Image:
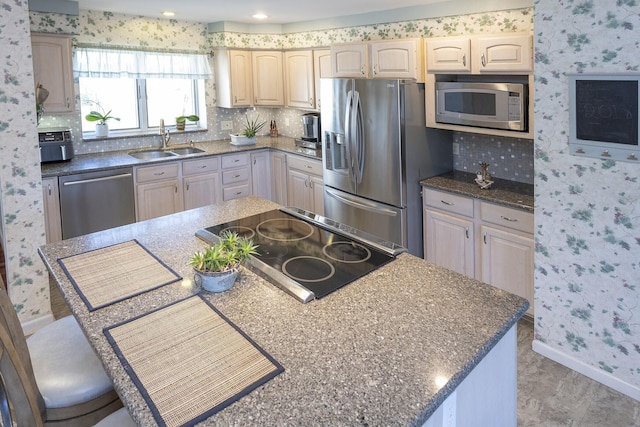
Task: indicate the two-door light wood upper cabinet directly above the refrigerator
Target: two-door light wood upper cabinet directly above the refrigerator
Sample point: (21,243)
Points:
(392,59)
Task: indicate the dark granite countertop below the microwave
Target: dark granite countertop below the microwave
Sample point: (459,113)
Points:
(504,192)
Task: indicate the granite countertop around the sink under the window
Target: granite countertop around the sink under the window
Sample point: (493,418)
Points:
(121,159)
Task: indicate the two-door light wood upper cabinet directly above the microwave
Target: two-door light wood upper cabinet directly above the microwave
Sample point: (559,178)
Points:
(511,53)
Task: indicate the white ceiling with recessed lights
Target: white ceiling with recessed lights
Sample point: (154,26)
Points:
(279,11)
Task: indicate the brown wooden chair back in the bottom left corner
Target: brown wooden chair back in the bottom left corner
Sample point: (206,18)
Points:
(20,399)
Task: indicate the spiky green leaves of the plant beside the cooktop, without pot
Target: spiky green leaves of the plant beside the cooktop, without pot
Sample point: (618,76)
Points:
(225,255)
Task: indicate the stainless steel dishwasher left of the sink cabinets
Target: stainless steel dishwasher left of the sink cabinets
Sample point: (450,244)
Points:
(96,201)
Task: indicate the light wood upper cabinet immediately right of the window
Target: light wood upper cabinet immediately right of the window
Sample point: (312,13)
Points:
(245,78)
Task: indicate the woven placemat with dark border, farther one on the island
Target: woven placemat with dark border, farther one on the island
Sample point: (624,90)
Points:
(114,273)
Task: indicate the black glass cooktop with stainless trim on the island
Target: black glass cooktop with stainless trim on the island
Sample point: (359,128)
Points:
(307,255)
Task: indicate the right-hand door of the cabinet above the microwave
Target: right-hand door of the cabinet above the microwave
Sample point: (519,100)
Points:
(502,53)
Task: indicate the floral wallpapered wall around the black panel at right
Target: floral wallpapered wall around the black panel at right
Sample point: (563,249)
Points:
(587,257)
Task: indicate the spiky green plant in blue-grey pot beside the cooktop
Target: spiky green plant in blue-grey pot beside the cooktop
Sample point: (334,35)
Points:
(216,268)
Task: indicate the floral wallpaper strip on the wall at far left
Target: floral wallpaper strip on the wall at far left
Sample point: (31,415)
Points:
(22,228)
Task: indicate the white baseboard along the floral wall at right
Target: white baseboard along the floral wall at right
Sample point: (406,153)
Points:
(587,370)
